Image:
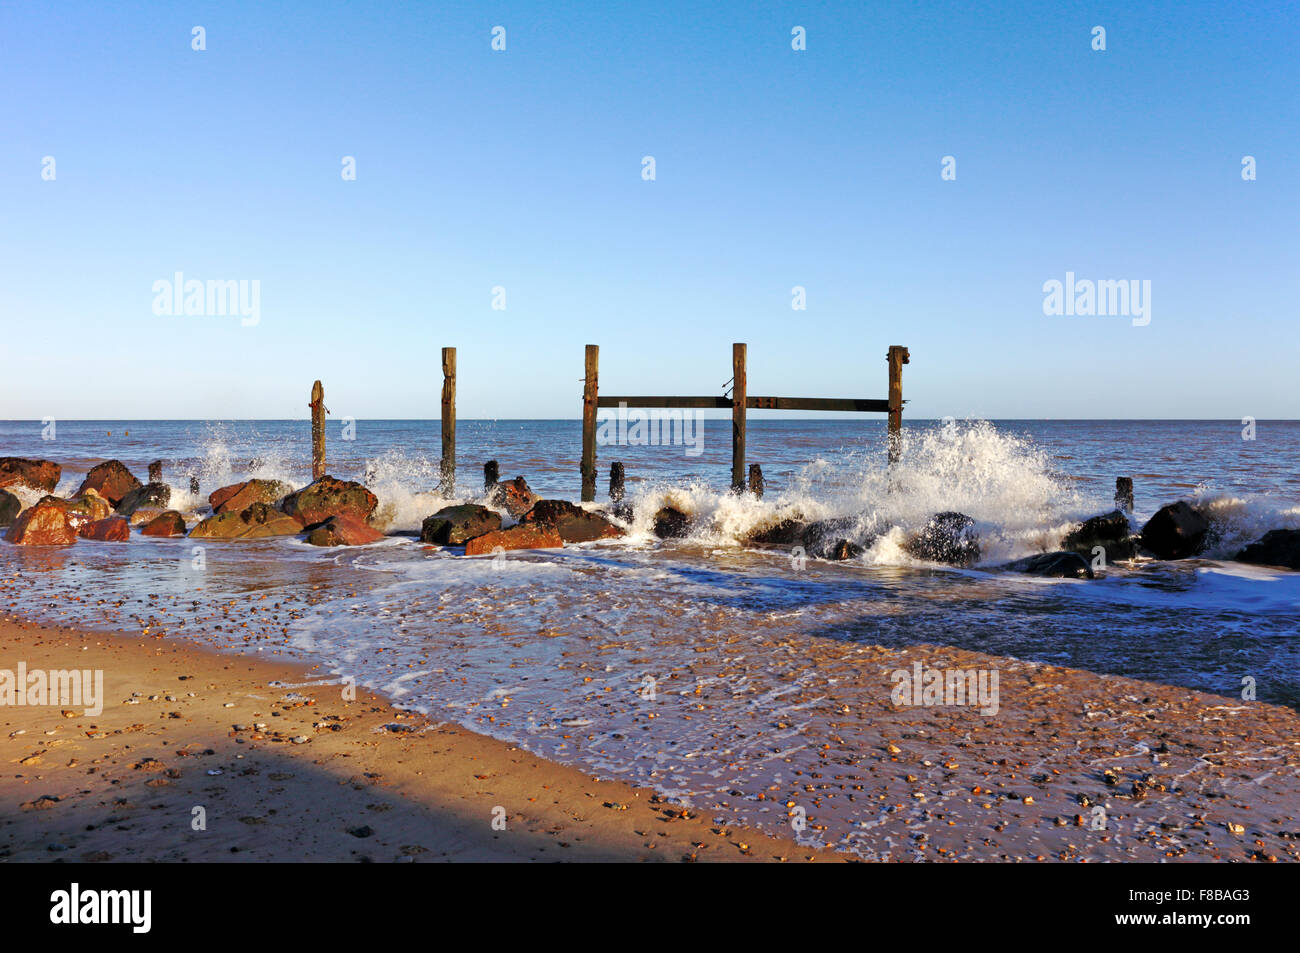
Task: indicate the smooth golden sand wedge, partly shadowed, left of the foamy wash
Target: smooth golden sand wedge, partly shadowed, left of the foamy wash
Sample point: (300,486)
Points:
(365,782)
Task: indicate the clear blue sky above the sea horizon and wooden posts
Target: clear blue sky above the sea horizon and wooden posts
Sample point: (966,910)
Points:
(523,170)
